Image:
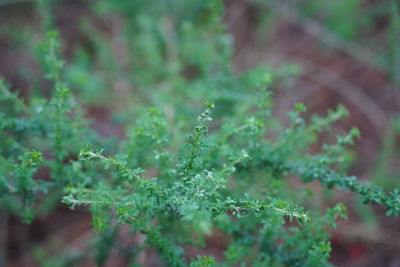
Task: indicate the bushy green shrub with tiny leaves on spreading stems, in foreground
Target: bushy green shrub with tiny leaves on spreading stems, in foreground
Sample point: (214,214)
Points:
(177,179)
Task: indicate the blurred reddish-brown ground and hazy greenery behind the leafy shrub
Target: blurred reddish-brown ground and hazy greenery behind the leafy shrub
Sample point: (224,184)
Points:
(125,54)
